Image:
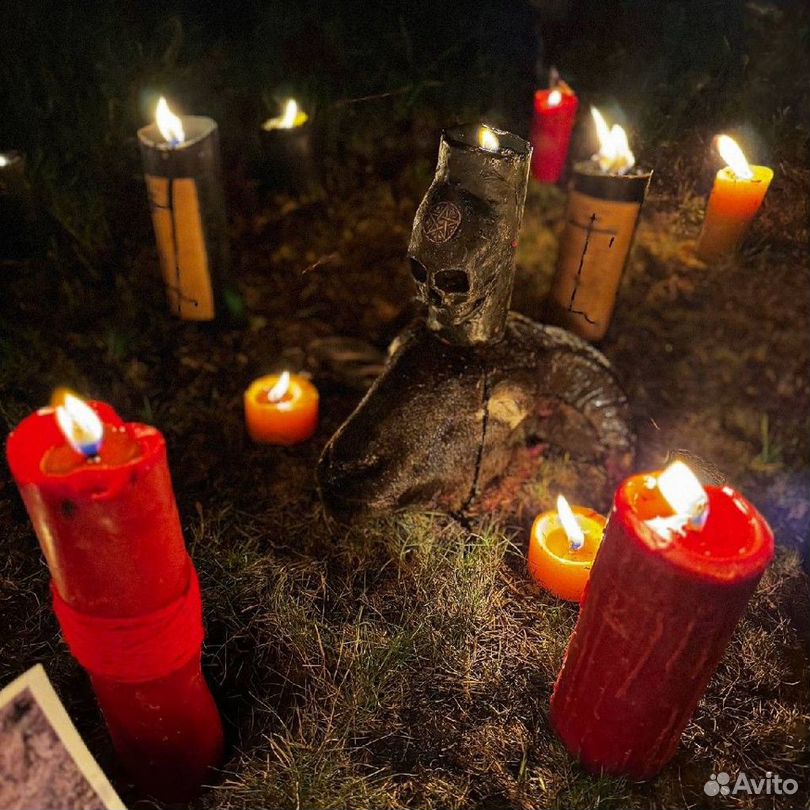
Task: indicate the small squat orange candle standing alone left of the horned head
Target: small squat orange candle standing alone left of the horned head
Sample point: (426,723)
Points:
(281,409)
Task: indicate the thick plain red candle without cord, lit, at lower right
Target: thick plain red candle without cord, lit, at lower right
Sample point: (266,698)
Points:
(666,591)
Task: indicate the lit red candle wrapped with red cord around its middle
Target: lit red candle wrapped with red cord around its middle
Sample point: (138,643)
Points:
(124,588)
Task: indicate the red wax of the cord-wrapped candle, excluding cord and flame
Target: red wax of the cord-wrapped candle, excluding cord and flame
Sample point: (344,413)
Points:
(112,538)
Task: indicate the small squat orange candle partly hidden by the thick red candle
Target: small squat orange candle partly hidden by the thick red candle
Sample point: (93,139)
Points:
(562,548)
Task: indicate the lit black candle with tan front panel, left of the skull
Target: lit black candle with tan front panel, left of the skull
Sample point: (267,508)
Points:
(184,182)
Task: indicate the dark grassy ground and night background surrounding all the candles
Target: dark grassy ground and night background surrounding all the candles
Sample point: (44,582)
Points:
(400,664)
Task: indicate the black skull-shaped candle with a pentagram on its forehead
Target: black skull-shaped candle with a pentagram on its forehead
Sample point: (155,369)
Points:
(465,232)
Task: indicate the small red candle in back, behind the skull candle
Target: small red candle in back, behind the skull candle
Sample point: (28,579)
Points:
(554,112)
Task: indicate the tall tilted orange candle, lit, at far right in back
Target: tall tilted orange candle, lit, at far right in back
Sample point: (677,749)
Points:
(737,195)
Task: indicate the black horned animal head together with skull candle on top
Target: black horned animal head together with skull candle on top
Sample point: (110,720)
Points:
(465,393)
